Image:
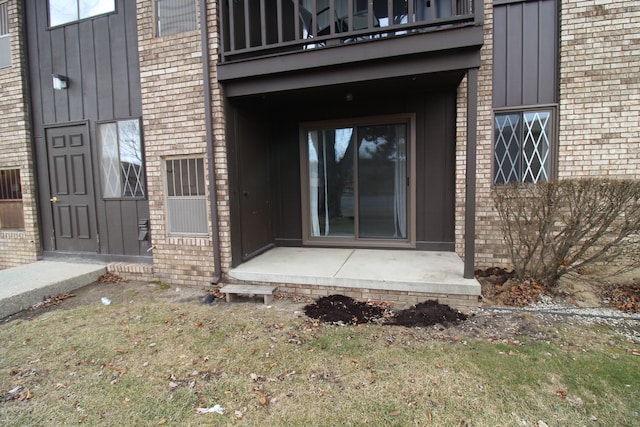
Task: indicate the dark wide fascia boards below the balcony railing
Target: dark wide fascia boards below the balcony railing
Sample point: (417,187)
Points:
(417,54)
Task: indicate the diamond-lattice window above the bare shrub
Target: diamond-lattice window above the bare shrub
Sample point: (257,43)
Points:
(522,146)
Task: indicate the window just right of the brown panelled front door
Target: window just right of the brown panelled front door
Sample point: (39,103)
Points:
(121,161)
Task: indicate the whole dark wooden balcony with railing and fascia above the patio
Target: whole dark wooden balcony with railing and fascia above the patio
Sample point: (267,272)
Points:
(274,45)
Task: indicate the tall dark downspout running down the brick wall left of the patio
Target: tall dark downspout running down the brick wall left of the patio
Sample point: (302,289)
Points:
(208,119)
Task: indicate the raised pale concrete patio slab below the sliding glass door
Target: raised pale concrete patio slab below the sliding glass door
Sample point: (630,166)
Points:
(390,270)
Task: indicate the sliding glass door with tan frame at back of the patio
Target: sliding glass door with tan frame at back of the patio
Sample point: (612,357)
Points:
(357,179)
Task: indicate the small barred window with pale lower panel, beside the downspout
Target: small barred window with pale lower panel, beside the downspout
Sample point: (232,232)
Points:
(186,196)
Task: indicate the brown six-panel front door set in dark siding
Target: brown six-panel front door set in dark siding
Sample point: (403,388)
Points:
(72,193)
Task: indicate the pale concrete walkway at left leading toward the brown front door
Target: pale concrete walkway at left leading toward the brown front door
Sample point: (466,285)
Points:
(21,287)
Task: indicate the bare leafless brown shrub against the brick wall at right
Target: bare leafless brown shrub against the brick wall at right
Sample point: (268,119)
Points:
(560,227)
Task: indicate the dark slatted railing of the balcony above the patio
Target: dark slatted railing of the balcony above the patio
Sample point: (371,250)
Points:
(254,28)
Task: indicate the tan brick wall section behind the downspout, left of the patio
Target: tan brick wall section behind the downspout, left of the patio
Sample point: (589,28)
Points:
(174,125)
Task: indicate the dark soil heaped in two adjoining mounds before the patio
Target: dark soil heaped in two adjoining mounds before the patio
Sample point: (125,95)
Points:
(343,309)
